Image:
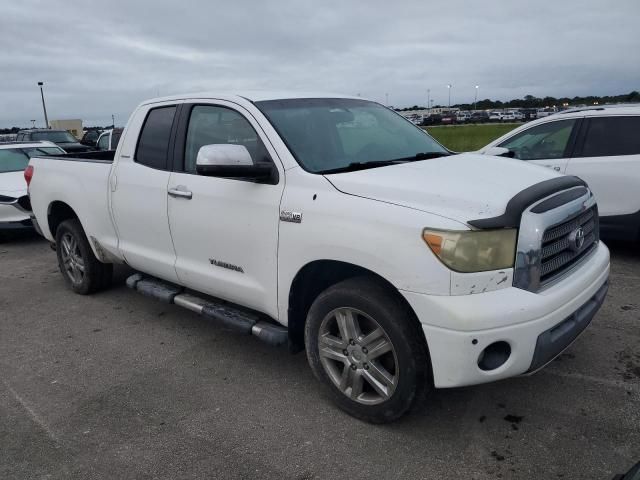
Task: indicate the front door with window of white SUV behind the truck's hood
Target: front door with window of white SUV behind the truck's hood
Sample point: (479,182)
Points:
(547,144)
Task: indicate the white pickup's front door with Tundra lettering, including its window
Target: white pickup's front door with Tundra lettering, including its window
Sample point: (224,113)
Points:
(225,231)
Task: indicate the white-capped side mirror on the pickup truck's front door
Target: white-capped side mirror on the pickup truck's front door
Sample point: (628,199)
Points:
(233,161)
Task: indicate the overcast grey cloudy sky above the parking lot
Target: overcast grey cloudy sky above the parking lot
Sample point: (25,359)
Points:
(103,58)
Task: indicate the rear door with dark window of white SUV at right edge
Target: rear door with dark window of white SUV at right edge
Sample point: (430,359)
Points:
(607,157)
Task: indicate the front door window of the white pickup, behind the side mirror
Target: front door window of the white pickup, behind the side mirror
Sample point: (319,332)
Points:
(209,124)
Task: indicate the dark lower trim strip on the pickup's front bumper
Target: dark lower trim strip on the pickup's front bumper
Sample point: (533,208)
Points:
(552,342)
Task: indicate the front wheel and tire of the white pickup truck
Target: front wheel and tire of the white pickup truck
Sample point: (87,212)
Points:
(385,370)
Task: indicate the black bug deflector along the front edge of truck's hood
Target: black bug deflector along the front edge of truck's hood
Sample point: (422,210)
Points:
(522,200)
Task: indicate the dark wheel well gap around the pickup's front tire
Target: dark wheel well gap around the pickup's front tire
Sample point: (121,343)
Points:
(314,278)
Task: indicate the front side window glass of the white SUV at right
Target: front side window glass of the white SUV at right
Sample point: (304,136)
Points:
(546,141)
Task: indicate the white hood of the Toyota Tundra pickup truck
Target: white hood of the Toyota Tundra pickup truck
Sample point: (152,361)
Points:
(460,187)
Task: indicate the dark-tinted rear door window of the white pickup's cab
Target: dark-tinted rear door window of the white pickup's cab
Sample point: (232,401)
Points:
(153,145)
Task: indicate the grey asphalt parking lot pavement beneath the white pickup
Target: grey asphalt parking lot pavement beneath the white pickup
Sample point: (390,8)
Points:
(117,385)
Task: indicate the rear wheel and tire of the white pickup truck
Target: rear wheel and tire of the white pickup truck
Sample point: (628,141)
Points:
(82,271)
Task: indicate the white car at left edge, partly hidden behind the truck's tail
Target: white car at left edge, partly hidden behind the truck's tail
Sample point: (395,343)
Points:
(14,202)
